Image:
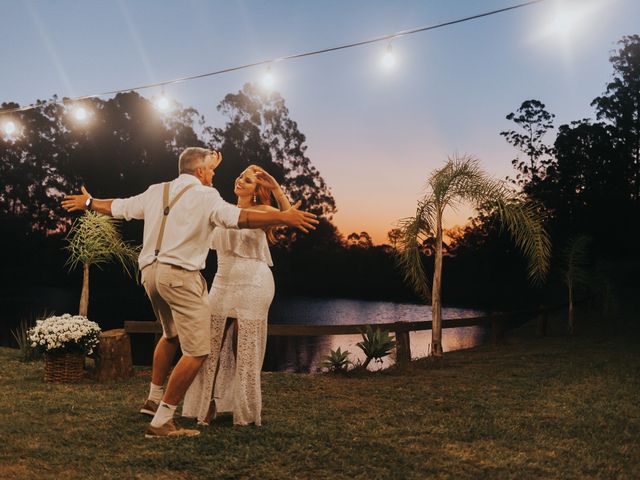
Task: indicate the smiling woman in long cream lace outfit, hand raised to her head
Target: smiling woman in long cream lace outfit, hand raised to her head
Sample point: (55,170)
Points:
(242,289)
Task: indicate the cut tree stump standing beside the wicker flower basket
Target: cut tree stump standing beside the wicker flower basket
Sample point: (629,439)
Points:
(113,356)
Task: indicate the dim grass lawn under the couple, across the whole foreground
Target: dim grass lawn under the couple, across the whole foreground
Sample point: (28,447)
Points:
(542,408)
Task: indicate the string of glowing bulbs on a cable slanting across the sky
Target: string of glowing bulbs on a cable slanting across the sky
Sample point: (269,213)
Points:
(387,60)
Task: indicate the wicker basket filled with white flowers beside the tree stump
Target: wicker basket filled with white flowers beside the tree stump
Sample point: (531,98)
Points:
(65,341)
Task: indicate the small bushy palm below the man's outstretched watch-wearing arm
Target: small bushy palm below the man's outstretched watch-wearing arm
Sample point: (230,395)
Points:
(94,239)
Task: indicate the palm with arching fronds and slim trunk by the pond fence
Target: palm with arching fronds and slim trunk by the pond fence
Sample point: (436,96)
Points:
(462,180)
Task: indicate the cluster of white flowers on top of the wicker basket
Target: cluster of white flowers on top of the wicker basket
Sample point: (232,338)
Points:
(65,334)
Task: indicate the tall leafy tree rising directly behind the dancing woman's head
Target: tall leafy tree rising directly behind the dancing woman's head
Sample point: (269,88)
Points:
(260,131)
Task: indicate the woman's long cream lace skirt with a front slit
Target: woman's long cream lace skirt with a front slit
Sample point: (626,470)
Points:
(242,289)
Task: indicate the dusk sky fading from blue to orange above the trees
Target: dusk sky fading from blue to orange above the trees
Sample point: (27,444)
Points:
(374,134)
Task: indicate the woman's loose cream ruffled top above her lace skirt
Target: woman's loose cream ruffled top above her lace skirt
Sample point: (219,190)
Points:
(245,243)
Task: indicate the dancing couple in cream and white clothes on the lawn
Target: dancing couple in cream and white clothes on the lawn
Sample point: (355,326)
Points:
(221,360)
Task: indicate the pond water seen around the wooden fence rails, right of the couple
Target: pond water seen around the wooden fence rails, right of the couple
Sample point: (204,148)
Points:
(305,354)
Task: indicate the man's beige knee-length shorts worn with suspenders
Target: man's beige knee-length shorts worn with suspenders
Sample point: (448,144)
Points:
(179,299)
